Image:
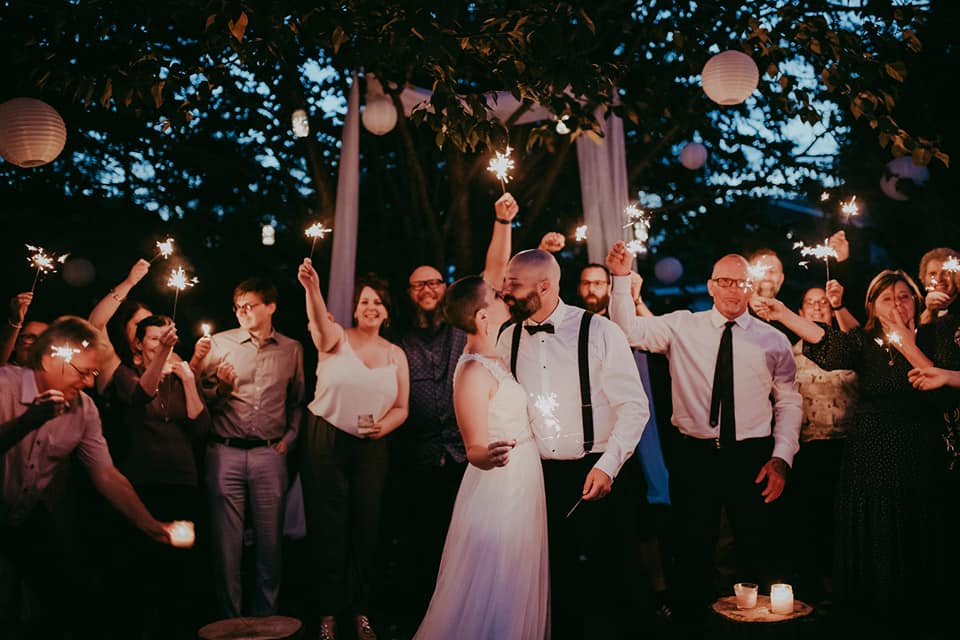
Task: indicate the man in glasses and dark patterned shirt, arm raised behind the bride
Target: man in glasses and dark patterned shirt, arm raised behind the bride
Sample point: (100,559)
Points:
(432,459)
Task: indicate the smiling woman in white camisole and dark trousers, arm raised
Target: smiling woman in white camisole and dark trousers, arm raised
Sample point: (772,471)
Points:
(363,386)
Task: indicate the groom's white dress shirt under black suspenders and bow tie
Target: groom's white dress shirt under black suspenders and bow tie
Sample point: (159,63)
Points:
(548,369)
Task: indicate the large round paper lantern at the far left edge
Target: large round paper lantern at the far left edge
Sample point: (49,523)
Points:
(32,133)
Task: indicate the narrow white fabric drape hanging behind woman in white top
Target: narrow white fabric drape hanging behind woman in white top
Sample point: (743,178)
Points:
(344,255)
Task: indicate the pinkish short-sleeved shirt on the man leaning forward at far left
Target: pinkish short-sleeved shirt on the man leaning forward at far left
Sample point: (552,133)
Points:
(28,468)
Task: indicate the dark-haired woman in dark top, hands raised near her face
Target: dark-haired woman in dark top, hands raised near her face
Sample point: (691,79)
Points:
(166,420)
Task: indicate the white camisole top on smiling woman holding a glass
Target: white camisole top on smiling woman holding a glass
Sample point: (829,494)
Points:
(347,389)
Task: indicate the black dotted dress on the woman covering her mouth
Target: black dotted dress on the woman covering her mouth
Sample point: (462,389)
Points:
(887,505)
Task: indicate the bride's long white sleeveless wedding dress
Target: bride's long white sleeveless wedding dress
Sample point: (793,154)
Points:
(494,576)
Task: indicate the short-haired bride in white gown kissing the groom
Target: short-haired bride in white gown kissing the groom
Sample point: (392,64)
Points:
(494,577)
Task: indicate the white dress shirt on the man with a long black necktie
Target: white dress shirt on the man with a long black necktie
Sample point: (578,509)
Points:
(763,364)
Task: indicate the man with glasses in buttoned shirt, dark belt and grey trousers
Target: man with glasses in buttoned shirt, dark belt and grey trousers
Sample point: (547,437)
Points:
(253,382)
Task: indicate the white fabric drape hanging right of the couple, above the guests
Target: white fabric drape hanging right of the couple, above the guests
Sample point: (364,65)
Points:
(603,187)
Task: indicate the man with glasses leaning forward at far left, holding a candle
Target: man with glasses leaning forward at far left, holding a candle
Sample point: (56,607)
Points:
(45,417)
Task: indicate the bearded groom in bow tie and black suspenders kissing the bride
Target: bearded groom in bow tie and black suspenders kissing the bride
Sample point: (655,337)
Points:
(584,444)
